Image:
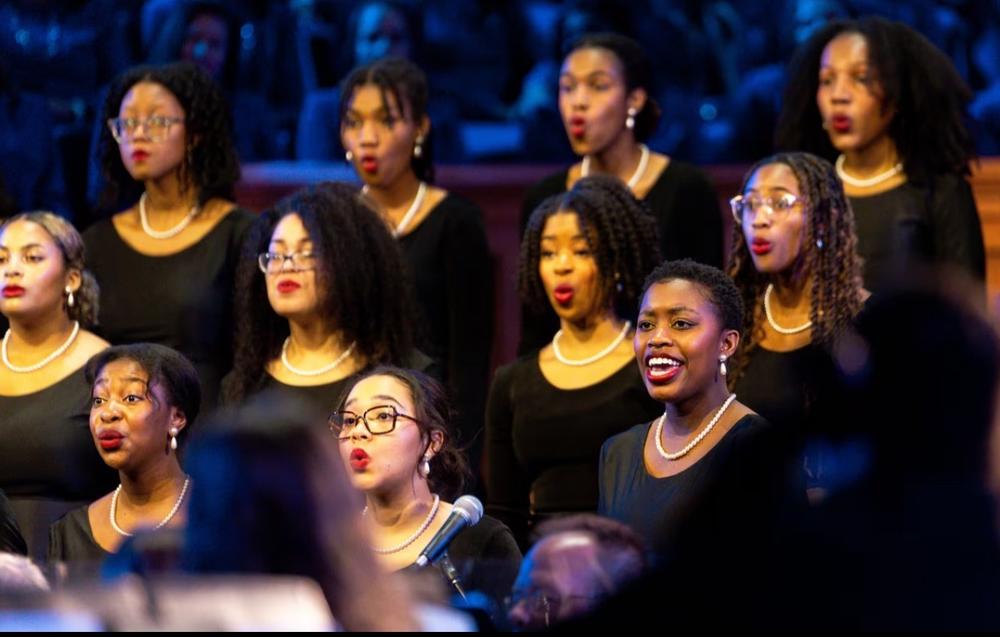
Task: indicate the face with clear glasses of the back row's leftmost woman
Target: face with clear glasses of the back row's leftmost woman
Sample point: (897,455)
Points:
(157,147)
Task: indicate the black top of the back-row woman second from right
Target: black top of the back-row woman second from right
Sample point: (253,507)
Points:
(686,208)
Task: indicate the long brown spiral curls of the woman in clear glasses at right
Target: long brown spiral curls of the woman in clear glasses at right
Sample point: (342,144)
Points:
(834,270)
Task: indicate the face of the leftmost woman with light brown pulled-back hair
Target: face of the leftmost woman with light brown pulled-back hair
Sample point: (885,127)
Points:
(33,275)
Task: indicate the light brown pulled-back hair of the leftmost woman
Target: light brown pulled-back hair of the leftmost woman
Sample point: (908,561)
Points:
(70,244)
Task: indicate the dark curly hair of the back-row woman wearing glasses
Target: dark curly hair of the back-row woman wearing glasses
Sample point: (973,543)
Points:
(210,166)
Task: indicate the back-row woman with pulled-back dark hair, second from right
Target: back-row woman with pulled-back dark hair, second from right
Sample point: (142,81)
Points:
(608,112)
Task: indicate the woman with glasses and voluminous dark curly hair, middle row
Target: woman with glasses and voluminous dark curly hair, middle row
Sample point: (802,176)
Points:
(321,294)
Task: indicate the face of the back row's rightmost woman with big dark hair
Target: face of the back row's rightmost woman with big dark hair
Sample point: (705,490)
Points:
(850,98)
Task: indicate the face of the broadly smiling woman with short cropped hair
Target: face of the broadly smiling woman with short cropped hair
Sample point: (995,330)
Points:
(678,341)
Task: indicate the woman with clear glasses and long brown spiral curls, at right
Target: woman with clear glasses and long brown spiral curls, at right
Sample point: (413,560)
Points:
(795,262)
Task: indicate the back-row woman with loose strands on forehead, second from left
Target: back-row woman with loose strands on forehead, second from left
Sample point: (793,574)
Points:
(385,128)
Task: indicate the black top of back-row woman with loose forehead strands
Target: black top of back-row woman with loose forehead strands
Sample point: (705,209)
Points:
(450,264)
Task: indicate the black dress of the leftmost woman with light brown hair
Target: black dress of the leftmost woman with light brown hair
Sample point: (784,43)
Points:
(48,461)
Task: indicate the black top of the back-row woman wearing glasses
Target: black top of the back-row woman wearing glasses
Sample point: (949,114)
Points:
(182,300)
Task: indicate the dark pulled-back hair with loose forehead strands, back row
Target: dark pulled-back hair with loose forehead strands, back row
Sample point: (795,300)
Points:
(407,85)
